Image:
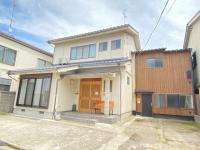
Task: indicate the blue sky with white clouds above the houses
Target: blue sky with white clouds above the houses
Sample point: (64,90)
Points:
(37,21)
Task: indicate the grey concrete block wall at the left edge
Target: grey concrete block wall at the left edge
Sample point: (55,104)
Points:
(7,101)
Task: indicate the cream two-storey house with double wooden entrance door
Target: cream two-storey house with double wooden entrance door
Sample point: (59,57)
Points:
(87,68)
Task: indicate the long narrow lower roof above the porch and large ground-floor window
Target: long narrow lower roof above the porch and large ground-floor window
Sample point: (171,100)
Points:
(71,66)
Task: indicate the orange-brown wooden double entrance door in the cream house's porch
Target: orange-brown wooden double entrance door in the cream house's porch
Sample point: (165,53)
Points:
(90,93)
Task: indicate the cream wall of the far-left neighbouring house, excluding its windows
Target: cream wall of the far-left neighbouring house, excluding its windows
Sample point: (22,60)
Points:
(25,58)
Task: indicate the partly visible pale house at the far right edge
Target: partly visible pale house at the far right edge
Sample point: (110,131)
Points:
(192,40)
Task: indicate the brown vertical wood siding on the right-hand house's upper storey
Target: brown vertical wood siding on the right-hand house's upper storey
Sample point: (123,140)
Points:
(171,78)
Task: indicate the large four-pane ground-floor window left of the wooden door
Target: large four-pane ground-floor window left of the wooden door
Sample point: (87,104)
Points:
(34,92)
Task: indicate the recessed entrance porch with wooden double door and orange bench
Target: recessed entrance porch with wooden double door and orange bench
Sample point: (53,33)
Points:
(79,94)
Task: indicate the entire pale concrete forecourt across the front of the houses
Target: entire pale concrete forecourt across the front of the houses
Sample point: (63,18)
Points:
(137,133)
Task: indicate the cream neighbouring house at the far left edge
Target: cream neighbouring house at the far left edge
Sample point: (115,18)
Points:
(16,54)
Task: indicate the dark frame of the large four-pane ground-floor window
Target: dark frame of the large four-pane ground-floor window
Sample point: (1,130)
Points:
(35,81)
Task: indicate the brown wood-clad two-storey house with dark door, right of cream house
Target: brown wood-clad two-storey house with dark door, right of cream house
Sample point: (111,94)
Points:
(164,83)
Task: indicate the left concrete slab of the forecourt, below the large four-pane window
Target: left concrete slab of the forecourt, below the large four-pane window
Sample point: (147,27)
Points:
(42,134)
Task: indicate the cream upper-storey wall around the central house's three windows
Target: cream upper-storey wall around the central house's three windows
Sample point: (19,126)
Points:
(62,51)
